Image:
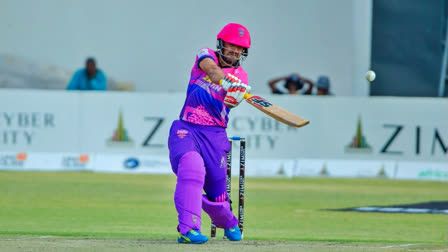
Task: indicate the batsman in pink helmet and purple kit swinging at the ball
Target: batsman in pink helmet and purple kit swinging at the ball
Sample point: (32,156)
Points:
(198,141)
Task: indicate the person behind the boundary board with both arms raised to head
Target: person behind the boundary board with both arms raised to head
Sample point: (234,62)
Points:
(293,84)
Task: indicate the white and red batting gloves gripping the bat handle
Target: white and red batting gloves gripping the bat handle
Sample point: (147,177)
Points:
(235,90)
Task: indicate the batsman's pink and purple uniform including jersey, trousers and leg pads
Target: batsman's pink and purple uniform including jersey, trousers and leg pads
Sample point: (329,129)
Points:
(198,145)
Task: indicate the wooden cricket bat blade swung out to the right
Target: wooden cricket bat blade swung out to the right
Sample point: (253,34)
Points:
(275,111)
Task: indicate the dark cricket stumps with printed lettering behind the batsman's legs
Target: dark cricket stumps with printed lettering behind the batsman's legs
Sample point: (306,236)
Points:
(242,141)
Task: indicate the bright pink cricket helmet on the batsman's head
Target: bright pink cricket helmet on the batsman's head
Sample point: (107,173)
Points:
(235,34)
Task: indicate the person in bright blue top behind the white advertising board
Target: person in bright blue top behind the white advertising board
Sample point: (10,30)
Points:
(89,78)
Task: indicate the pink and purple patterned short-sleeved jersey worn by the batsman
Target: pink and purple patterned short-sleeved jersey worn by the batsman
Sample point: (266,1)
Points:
(204,103)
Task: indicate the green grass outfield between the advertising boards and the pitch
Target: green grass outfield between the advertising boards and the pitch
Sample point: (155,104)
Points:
(118,206)
